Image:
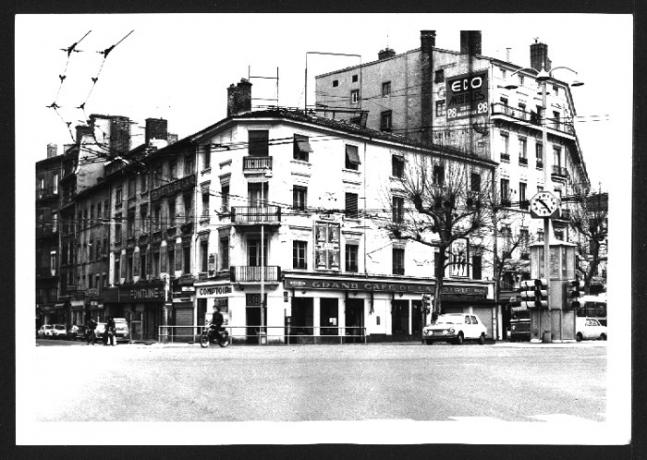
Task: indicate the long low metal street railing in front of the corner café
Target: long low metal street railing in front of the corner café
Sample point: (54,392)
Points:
(253,334)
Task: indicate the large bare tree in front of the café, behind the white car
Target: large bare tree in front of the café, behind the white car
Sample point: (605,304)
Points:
(437,202)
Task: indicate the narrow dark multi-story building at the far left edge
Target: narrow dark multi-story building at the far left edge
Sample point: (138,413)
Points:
(48,174)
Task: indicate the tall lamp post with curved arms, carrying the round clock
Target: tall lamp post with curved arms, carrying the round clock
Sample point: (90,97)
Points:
(542,77)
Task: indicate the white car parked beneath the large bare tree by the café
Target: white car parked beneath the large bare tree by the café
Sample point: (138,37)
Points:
(455,327)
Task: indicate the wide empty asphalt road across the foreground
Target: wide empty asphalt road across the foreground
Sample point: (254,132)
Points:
(522,382)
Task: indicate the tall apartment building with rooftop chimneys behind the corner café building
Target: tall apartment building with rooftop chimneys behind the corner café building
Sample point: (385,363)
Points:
(465,100)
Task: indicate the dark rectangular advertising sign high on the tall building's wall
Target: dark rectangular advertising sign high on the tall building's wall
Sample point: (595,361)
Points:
(467,96)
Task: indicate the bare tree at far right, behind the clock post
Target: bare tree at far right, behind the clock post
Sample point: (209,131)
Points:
(588,217)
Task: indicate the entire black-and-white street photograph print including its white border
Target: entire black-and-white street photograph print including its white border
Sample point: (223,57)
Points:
(302,228)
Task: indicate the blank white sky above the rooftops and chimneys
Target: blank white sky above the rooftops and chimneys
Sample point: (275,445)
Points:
(179,66)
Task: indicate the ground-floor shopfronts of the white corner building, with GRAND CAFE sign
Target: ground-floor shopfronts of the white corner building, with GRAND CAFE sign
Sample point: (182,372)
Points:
(302,307)
